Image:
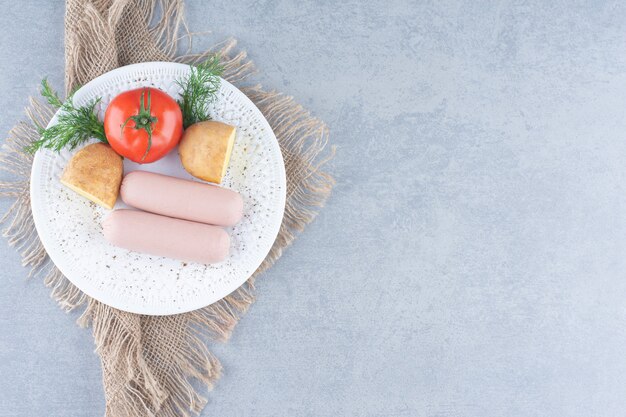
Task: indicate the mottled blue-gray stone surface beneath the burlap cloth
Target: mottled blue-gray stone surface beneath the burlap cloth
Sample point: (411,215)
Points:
(471,259)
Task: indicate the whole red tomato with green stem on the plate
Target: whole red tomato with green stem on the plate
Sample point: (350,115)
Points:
(143,125)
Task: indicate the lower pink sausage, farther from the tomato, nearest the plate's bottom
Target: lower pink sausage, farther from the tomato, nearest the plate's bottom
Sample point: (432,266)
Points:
(164,236)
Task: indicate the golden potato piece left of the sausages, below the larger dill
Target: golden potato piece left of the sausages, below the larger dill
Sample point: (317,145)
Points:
(95,172)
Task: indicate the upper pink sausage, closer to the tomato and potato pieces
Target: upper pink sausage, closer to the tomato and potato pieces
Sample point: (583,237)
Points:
(182,199)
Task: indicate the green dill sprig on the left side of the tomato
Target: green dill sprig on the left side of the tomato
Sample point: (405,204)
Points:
(74,126)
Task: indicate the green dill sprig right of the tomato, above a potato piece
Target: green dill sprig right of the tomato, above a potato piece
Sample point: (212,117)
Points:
(199,90)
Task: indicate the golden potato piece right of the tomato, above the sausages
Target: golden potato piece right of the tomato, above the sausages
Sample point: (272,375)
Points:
(205,149)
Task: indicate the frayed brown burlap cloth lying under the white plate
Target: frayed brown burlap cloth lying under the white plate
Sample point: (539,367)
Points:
(151,365)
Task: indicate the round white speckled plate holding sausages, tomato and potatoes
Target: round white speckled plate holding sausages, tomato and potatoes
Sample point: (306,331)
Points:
(70,226)
